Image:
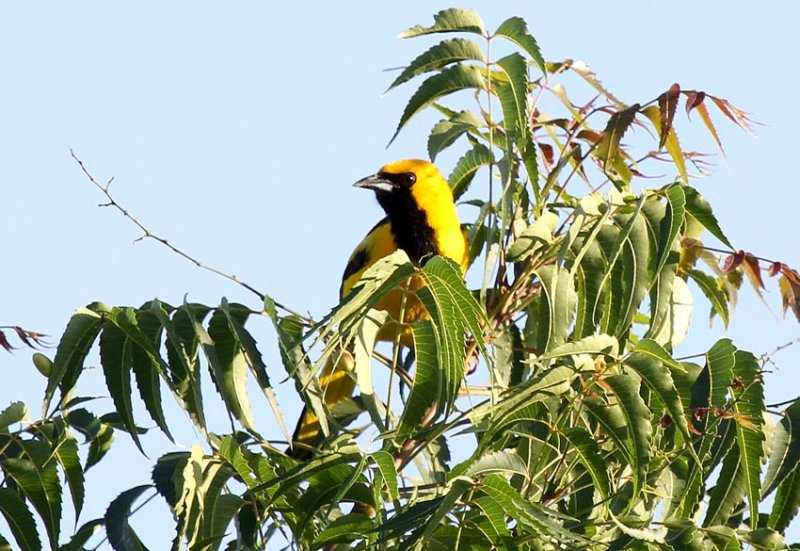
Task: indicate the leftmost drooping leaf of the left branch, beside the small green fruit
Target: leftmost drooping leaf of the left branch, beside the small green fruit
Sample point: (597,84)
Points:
(73,347)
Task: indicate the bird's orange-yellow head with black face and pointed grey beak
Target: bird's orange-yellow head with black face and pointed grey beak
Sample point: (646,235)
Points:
(412,180)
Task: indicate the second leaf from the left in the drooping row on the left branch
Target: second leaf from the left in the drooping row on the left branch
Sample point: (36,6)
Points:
(116,355)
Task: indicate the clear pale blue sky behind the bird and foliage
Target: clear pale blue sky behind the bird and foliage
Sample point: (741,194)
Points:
(235,129)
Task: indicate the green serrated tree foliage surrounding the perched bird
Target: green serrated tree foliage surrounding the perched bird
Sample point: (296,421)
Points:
(589,433)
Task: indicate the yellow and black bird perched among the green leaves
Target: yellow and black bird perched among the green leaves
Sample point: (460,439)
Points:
(420,219)
